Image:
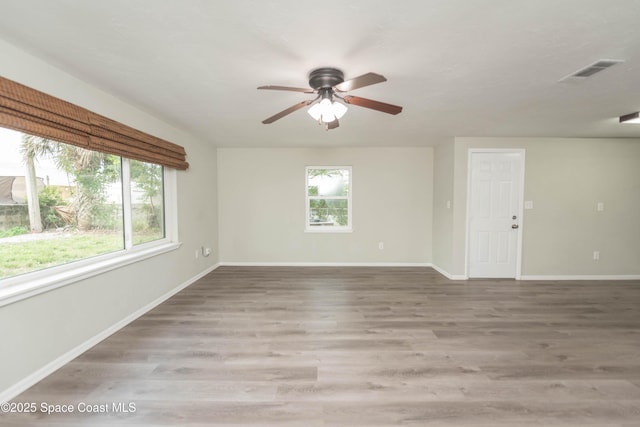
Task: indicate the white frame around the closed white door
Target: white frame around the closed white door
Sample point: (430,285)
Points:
(521,152)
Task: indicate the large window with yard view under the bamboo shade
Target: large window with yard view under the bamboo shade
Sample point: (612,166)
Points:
(60,203)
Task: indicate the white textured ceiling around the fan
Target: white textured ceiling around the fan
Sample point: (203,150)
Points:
(458,67)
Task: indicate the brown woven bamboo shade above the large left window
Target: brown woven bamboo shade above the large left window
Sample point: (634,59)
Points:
(28,110)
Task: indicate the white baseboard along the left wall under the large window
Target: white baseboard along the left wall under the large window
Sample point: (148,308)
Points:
(49,368)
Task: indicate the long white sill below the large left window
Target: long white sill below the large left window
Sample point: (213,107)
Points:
(28,285)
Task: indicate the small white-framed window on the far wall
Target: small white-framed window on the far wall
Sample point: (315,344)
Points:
(328,198)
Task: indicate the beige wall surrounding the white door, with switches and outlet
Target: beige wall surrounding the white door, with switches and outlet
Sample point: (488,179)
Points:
(565,179)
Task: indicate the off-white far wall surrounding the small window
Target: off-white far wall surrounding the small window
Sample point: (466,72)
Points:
(262,206)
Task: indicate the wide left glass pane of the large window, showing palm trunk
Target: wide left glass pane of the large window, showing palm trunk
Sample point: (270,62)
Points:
(58,203)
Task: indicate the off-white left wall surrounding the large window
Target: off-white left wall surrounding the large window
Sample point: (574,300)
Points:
(37,331)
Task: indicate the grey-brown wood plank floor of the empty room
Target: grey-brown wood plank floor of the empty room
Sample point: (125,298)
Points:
(267,346)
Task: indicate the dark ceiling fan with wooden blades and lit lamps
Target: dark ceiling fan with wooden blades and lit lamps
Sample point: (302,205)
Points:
(329,84)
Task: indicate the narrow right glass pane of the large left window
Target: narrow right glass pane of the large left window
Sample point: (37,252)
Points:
(147,210)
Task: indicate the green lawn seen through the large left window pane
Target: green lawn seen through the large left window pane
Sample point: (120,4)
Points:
(24,257)
